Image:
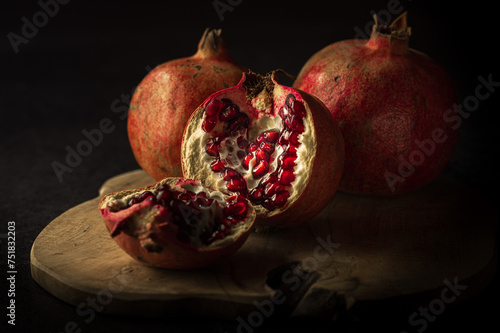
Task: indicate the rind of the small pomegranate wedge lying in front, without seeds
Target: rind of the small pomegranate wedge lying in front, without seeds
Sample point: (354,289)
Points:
(161,248)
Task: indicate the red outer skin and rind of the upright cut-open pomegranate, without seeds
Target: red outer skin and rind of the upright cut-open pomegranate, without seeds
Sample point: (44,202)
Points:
(325,167)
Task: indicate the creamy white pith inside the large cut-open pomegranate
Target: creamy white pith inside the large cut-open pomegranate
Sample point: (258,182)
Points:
(195,139)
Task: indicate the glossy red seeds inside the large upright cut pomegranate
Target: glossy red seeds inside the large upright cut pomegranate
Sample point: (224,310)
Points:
(273,189)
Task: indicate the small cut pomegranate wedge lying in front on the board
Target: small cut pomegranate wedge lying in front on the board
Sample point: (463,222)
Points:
(177,223)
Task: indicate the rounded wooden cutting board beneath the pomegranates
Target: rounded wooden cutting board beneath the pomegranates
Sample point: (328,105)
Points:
(357,249)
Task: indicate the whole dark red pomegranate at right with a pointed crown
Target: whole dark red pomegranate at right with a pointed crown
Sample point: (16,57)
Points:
(389,101)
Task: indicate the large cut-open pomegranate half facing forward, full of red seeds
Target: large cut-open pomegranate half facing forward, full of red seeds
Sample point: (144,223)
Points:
(275,145)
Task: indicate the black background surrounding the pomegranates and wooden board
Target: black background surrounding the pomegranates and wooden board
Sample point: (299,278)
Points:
(67,76)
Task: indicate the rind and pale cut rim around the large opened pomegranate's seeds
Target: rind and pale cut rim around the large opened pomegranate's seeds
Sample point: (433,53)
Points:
(320,156)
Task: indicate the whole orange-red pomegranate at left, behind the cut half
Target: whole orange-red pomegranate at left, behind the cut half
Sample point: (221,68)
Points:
(166,97)
